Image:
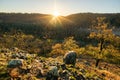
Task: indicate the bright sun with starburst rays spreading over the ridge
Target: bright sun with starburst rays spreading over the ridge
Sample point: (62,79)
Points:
(56,19)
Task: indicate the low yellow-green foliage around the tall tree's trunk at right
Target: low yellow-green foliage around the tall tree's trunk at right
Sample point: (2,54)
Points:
(110,54)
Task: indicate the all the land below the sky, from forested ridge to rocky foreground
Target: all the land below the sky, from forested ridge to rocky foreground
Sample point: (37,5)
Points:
(35,46)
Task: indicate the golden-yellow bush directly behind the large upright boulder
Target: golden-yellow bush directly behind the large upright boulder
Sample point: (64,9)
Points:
(69,44)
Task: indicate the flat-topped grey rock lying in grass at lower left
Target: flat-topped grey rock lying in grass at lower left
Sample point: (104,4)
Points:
(14,63)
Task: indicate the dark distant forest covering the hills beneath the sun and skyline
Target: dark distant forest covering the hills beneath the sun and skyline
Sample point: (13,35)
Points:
(41,25)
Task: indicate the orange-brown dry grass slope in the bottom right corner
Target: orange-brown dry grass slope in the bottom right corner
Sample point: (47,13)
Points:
(105,70)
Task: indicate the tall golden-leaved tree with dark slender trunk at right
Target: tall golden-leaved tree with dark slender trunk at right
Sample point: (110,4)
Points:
(102,34)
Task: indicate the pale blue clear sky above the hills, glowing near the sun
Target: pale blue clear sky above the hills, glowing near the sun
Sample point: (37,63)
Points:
(64,7)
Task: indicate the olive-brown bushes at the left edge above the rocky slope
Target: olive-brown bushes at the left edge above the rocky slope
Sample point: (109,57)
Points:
(22,41)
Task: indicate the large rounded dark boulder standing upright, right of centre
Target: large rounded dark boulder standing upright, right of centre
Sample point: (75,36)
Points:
(70,58)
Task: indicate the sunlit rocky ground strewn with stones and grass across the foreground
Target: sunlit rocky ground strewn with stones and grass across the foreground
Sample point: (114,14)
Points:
(20,65)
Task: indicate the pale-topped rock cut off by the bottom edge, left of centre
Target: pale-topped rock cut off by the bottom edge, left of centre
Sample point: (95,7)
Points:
(52,73)
